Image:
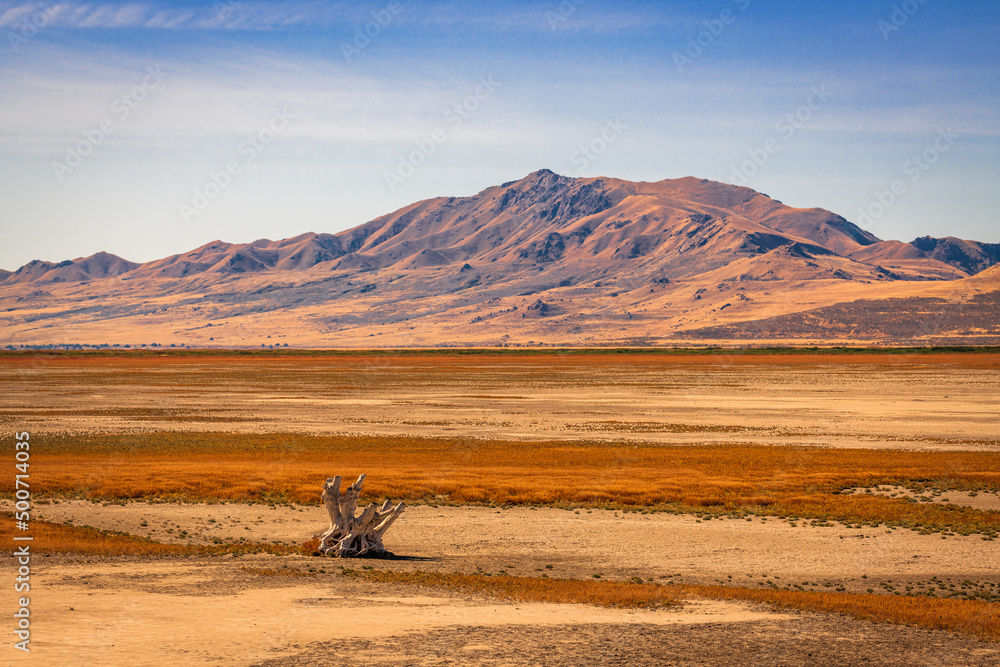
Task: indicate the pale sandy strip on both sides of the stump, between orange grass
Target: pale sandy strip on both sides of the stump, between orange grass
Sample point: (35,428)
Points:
(571,543)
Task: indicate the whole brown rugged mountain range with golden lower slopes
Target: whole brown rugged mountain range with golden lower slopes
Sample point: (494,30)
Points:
(546,259)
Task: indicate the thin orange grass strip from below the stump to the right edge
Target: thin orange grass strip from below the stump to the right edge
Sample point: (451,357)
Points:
(971,617)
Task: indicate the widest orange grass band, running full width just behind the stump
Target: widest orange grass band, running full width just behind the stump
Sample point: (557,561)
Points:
(794,482)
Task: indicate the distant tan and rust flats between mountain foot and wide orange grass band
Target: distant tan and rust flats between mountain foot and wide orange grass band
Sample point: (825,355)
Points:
(906,401)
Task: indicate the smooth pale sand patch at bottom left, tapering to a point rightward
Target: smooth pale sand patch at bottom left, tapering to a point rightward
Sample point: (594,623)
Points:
(204,612)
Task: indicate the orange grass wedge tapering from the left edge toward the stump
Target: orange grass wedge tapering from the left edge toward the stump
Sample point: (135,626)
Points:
(50,537)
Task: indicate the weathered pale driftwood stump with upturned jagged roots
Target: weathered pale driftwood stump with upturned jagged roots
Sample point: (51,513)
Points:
(352,536)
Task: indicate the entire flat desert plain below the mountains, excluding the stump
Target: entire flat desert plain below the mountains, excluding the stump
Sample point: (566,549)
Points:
(565,507)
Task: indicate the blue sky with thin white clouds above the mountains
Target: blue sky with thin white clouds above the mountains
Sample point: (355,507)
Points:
(149,128)
